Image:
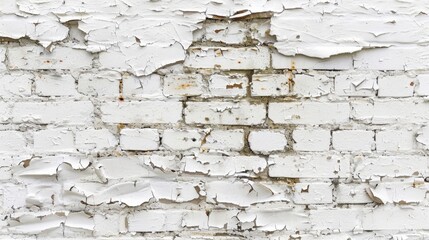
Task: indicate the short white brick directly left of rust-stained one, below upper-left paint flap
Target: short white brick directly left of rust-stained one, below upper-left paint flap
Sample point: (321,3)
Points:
(143,87)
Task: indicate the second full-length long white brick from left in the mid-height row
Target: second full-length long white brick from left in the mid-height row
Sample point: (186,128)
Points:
(141,112)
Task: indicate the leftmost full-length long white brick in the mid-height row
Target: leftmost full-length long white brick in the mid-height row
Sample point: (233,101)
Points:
(70,113)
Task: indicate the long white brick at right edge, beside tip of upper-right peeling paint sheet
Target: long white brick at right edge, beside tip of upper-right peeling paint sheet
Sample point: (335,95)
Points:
(412,58)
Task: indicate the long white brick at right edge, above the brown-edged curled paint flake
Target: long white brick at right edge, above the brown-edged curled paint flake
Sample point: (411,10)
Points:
(389,166)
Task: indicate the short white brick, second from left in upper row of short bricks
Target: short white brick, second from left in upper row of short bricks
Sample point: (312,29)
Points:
(55,85)
